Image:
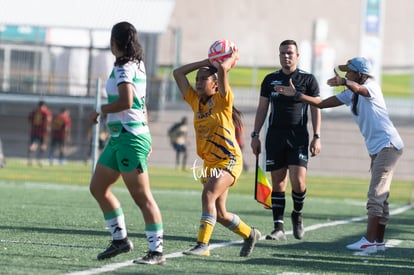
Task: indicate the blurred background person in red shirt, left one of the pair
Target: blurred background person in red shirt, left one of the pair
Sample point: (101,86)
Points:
(39,119)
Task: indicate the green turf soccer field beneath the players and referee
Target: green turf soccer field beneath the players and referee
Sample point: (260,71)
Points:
(52,227)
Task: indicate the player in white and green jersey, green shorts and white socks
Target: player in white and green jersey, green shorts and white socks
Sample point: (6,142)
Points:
(127,149)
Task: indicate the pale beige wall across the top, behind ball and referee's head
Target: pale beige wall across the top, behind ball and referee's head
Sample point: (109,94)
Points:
(258,26)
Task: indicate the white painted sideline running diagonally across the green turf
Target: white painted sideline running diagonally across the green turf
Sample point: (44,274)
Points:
(112,267)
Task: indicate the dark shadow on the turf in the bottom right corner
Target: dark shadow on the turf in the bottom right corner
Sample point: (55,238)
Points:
(329,258)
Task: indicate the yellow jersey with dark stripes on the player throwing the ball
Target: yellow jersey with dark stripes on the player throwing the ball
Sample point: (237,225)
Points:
(215,133)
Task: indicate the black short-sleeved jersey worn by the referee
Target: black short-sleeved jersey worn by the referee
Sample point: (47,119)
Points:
(286,112)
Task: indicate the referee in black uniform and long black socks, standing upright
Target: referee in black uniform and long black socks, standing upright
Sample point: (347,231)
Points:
(287,138)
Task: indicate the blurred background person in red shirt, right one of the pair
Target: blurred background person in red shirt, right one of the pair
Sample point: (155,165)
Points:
(60,134)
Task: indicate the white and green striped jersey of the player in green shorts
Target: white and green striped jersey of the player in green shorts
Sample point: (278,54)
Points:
(134,119)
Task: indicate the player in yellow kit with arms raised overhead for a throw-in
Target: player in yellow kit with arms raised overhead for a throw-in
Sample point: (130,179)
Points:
(212,104)
